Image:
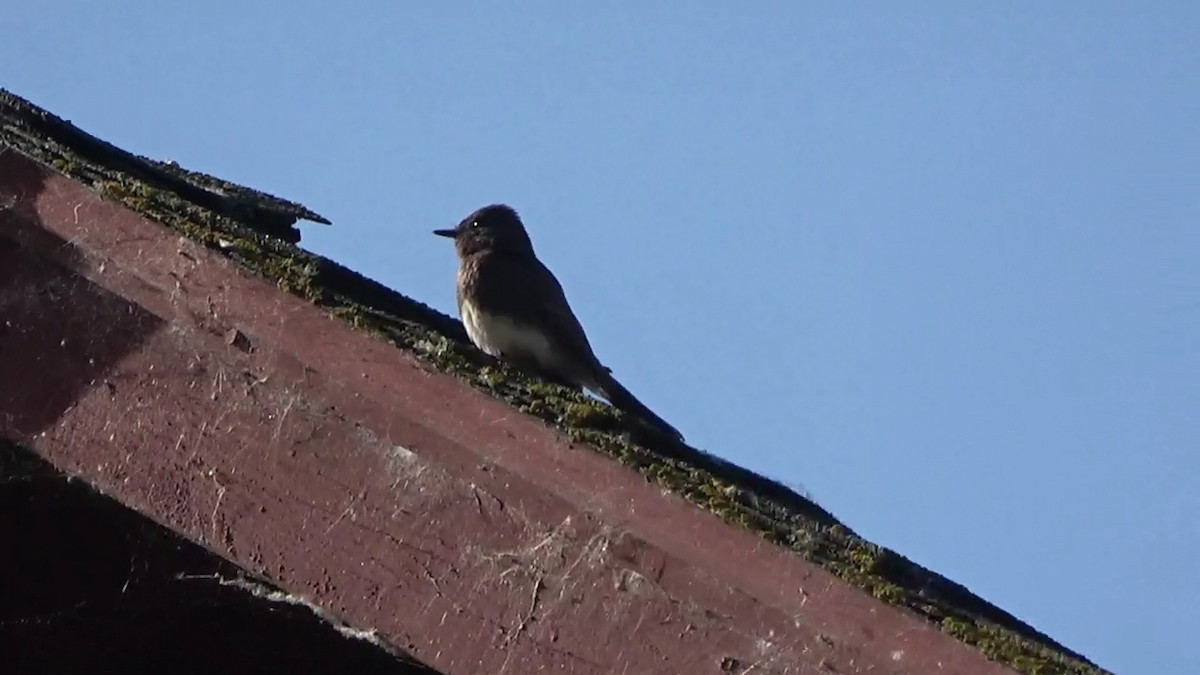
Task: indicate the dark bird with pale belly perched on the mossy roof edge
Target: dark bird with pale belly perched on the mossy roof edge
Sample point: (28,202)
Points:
(514,309)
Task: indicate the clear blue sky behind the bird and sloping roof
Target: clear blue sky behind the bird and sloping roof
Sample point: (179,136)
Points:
(935,265)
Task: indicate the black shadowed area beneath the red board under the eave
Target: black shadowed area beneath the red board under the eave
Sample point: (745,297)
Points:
(91,586)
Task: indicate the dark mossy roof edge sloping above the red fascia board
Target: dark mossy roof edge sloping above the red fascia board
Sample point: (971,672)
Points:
(257,231)
